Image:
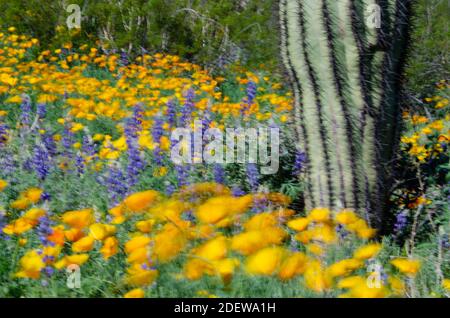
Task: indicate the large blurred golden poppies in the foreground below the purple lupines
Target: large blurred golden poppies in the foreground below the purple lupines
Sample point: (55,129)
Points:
(215,234)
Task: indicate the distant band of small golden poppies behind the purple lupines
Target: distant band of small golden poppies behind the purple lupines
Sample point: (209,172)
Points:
(62,77)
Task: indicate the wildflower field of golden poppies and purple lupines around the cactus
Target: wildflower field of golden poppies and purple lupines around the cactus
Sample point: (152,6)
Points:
(91,204)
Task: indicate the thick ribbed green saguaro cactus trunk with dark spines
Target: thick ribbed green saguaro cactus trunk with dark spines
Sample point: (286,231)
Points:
(345,72)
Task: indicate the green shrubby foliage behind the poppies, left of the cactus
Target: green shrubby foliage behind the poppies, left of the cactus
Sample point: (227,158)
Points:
(208,32)
